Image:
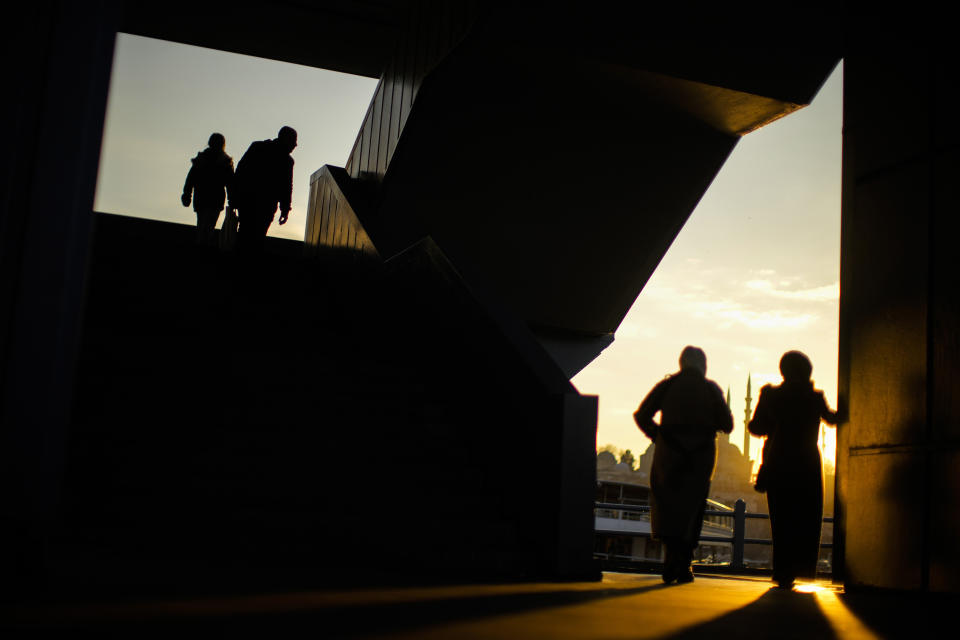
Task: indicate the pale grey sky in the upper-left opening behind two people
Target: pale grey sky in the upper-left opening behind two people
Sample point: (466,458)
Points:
(166,99)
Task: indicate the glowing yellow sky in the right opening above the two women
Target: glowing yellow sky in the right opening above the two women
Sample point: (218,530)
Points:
(755,272)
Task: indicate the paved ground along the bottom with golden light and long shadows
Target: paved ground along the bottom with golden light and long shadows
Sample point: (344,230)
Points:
(620,606)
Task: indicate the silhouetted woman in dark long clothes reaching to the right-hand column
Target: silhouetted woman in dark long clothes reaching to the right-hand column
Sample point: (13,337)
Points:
(789,416)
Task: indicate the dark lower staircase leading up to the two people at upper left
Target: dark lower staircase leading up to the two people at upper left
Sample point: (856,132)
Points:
(296,421)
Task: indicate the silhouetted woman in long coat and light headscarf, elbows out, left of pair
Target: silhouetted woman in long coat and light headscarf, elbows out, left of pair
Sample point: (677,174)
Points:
(692,411)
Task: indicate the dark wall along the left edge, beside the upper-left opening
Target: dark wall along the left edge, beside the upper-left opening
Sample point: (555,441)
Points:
(56,64)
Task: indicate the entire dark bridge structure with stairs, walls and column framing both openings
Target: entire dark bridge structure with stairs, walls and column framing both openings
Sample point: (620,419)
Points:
(519,174)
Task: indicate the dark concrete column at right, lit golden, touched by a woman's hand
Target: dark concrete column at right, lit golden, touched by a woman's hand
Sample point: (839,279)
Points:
(899,448)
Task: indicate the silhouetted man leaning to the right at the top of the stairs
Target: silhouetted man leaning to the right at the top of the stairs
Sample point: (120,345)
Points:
(263,181)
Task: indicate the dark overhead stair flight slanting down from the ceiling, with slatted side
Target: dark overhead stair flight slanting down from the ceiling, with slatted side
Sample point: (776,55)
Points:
(554,156)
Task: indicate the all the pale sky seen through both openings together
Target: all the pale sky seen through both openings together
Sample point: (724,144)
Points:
(754,273)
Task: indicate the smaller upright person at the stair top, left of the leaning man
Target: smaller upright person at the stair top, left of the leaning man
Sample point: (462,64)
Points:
(208,182)
